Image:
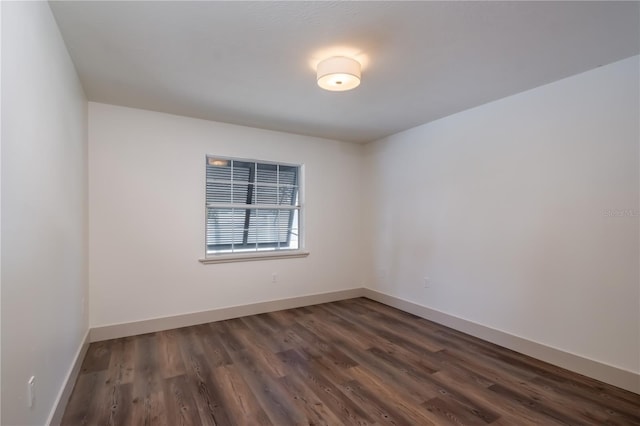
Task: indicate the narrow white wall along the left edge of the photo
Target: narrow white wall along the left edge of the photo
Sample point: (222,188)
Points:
(44,268)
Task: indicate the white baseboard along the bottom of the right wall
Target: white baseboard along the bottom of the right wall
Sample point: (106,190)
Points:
(606,373)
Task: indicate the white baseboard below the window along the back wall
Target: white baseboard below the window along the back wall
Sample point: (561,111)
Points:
(167,323)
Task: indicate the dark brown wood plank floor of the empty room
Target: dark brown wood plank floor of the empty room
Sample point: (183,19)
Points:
(352,362)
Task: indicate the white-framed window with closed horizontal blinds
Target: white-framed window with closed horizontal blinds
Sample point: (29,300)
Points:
(251,206)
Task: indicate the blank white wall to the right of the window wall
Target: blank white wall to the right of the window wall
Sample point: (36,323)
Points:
(507,209)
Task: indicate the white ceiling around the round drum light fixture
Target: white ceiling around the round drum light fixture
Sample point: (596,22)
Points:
(251,63)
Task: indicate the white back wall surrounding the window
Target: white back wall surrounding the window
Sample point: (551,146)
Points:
(146,208)
